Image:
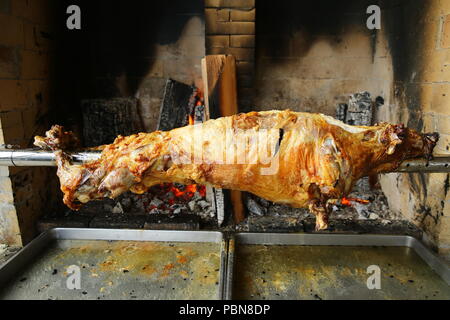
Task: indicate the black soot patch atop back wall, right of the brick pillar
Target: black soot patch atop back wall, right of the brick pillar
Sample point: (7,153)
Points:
(279,22)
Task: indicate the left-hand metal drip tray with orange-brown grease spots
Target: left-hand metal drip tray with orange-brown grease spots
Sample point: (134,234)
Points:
(117,264)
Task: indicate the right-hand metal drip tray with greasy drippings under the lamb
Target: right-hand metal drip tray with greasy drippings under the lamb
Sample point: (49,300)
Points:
(314,266)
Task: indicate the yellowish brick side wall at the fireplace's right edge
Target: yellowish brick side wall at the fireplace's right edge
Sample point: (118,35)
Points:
(418,36)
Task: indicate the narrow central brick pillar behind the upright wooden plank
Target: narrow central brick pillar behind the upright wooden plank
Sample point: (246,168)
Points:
(230,29)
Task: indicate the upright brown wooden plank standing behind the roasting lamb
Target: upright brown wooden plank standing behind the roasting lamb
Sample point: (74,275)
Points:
(219,79)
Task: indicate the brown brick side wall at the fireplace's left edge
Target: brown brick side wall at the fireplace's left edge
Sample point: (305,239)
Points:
(25,54)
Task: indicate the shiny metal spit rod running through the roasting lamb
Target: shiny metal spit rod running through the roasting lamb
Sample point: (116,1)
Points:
(40,158)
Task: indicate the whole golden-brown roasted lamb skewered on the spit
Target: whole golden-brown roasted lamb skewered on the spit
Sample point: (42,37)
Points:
(319,159)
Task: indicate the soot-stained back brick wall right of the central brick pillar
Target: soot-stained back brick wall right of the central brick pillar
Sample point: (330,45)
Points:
(311,55)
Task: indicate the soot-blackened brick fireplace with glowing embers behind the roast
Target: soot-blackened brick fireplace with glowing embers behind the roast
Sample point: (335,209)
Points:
(309,56)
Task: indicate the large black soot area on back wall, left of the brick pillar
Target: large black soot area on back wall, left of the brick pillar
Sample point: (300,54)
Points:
(112,53)
